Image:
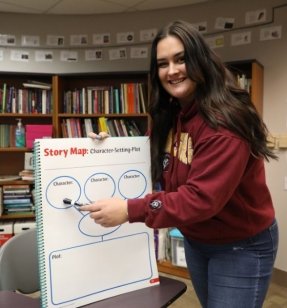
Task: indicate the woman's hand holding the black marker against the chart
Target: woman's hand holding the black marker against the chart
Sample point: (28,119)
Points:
(108,212)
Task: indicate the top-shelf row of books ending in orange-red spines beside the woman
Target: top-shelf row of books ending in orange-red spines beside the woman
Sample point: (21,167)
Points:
(129,98)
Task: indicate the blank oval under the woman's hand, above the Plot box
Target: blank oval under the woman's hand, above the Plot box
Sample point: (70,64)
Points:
(88,227)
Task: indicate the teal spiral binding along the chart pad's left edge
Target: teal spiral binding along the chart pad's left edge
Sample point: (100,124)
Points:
(39,222)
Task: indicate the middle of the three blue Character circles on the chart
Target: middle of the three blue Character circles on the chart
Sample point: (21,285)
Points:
(99,186)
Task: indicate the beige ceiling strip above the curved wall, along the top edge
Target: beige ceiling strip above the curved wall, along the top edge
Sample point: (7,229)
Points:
(72,7)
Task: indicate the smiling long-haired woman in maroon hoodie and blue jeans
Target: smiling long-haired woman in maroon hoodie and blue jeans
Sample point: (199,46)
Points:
(208,149)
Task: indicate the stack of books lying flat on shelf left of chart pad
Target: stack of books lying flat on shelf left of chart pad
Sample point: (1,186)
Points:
(16,198)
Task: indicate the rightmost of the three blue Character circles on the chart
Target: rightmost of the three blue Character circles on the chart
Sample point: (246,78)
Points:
(132,184)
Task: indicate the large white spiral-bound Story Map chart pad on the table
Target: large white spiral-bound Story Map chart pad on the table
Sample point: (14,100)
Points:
(80,261)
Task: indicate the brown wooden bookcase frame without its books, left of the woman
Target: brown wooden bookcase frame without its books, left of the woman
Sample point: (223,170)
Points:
(11,157)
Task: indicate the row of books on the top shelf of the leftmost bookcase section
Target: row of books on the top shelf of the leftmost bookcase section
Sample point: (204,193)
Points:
(25,100)
